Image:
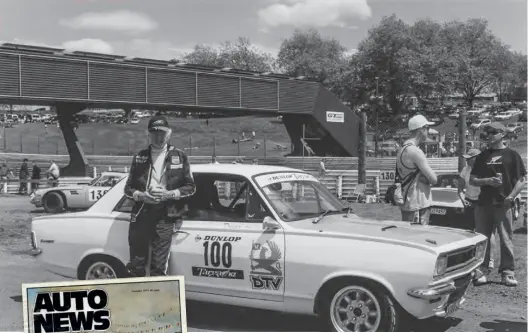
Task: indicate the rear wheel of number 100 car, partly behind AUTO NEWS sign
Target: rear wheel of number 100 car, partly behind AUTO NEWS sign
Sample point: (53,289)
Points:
(101,267)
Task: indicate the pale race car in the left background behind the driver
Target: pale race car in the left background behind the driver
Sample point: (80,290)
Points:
(67,197)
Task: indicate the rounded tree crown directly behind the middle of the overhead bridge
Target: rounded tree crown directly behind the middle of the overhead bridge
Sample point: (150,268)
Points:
(307,53)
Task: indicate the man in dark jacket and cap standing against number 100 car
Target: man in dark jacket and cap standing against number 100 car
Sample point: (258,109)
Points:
(159,178)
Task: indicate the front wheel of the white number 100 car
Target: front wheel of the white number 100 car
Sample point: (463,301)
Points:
(366,300)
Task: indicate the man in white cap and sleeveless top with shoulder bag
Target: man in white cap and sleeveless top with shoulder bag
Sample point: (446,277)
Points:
(415,174)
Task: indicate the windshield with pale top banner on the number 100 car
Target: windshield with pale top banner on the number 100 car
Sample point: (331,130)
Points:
(296,196)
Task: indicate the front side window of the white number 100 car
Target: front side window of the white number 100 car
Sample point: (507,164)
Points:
(225,198)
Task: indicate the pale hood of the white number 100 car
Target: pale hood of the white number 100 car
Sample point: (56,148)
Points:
(429,238)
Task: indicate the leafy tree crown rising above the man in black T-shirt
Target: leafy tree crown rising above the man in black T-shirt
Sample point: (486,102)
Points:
(475,53)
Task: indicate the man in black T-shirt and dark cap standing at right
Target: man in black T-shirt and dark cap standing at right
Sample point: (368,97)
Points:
(500,173)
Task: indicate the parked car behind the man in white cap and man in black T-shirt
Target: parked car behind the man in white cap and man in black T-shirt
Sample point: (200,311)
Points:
(447,209)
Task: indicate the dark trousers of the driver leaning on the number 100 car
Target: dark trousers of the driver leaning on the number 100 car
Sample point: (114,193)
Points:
(149,231)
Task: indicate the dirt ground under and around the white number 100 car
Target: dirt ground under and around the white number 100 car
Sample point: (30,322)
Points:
(492,307)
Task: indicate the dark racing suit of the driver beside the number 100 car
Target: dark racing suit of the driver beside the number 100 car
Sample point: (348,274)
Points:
(154,223)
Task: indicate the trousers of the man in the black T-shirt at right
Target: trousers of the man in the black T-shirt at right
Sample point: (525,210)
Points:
(489,217)
